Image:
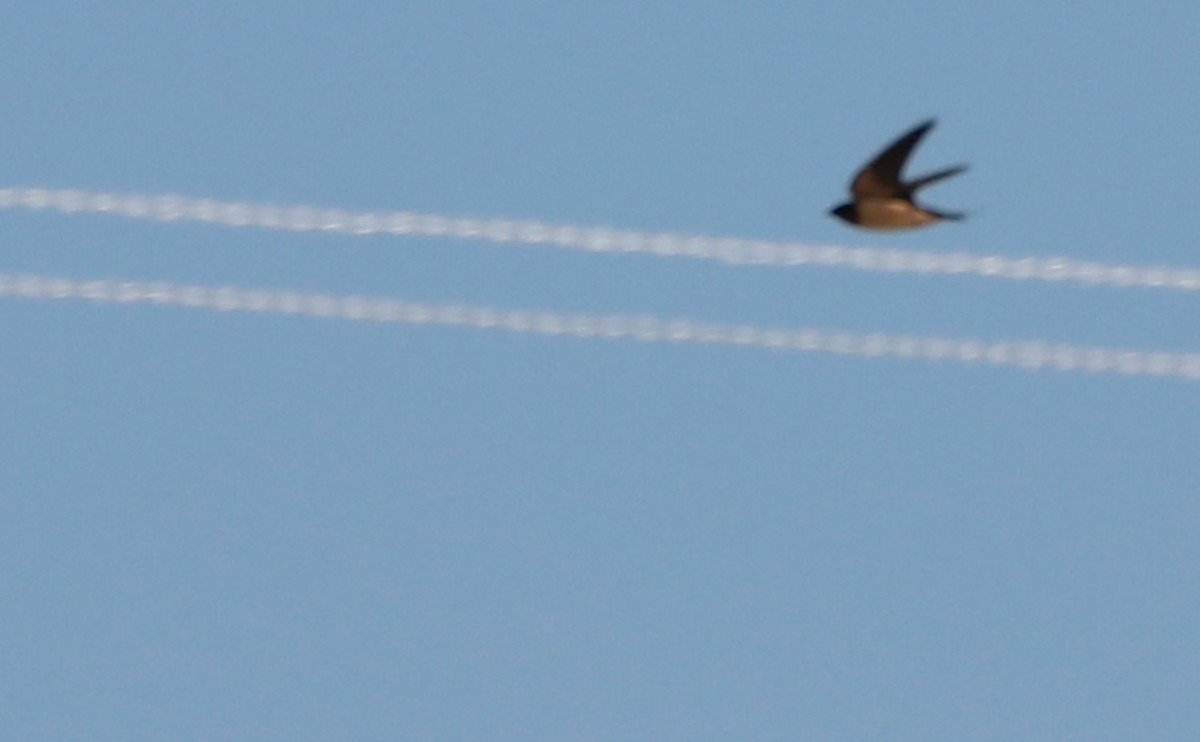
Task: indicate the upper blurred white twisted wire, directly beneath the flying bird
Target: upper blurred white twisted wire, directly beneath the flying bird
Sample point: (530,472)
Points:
(596,240)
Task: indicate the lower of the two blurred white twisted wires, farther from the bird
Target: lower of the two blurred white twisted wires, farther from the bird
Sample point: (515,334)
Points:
(1025,355)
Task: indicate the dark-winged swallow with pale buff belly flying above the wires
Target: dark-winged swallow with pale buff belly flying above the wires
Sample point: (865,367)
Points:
(883,201)
